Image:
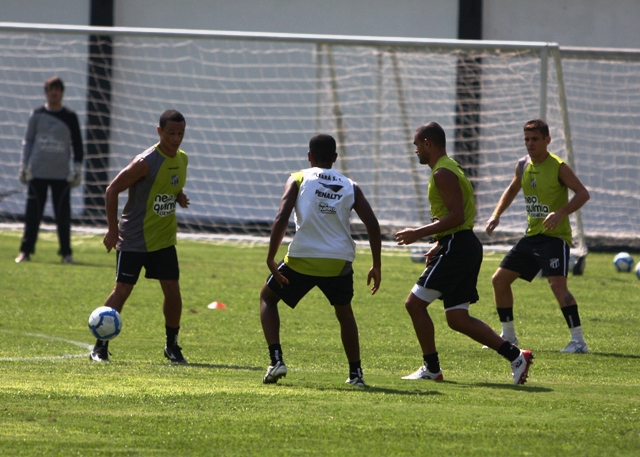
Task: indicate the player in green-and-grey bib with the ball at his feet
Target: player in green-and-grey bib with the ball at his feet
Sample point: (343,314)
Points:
(146,234)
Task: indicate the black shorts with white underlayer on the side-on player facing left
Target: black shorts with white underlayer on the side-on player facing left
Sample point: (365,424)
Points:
(453,270)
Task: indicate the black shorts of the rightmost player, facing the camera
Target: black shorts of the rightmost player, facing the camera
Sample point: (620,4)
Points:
(538,252)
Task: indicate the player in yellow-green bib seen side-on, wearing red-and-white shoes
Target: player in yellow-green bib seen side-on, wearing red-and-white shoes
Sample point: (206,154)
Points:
(453,264)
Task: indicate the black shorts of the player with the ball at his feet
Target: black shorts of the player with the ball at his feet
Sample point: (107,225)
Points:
(161,264)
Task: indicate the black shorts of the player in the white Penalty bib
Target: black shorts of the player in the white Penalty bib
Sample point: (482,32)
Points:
(337,289)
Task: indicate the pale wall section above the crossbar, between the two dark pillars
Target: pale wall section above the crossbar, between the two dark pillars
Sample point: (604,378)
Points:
(406,18)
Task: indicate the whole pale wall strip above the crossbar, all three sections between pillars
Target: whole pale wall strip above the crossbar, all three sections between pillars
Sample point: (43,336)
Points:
(594,23)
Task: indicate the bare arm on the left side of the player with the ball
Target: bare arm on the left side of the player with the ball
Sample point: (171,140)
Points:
(133,173)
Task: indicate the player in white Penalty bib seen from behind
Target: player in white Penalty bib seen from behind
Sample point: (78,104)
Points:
(321,253)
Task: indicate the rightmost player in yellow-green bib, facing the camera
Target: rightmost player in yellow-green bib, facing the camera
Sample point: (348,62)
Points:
(545,180)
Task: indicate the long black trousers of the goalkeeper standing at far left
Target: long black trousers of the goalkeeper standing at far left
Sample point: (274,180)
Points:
(36,200)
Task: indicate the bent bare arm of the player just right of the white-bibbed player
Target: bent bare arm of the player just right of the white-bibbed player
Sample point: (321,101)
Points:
(449,187)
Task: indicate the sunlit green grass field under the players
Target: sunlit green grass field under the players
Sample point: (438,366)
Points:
(55,402)
